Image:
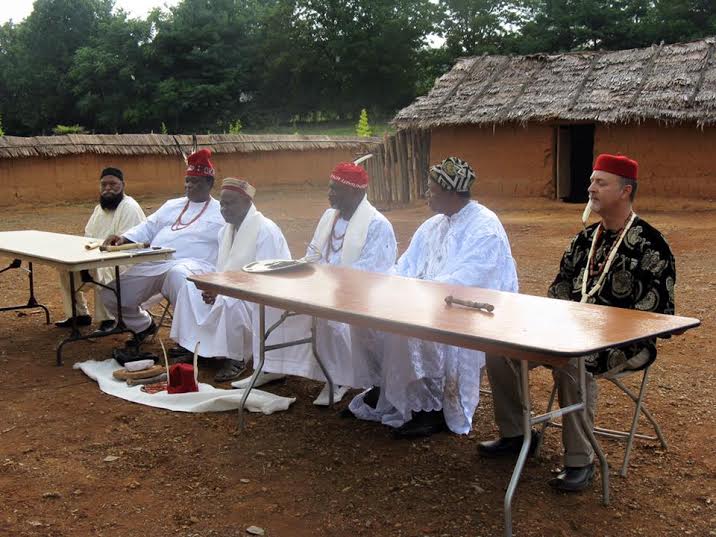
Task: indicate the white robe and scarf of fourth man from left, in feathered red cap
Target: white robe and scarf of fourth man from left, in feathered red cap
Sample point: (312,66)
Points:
(369,244)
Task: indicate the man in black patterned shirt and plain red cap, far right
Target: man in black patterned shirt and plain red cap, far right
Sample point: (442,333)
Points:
(620,261)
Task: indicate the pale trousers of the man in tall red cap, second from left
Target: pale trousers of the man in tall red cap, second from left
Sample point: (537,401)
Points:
(145,280)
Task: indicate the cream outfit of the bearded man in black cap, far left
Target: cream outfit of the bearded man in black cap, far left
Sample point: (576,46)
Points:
(101,225)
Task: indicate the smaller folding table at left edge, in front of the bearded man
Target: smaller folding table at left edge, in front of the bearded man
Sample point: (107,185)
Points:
(68,254)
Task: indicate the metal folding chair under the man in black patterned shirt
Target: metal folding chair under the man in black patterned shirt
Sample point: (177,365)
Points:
(611,433)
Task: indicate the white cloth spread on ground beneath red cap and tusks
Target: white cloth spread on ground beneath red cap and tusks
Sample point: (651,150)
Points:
(207,399)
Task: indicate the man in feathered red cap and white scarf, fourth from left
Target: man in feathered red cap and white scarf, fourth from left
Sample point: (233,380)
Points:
(354,234)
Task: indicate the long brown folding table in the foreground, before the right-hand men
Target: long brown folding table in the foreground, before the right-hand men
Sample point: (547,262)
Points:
(523,327)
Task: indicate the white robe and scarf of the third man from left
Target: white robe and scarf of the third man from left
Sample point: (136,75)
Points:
(225,329)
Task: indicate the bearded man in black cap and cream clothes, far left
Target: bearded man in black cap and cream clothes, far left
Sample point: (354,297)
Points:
(115,213)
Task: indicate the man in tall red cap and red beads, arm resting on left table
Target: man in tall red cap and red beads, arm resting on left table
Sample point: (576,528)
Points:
(191,226)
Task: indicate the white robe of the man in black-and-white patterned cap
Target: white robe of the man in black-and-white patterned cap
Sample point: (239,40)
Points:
(469,248)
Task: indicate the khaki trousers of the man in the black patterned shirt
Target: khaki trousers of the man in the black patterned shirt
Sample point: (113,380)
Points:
(504,381)
